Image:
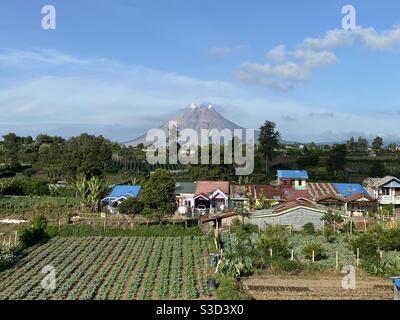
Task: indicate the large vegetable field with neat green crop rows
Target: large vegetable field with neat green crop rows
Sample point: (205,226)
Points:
(113,268)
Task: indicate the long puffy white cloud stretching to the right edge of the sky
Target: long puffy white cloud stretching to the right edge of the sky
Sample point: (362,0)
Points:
(287,68)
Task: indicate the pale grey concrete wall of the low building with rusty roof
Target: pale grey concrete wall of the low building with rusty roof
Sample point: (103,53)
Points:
(297,218)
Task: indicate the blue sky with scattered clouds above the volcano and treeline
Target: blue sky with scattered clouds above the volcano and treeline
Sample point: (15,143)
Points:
(120,67)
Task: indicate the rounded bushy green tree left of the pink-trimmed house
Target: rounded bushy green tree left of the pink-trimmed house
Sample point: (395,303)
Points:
(158,194)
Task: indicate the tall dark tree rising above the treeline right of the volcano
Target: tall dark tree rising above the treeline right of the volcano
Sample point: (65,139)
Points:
(268,142)
